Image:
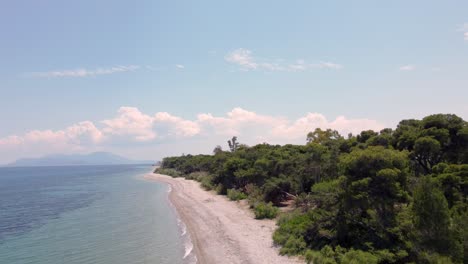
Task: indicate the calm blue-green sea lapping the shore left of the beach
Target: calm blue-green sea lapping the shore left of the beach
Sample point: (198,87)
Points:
(88,214)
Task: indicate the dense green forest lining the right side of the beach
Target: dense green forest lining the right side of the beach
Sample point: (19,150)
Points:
(393,196)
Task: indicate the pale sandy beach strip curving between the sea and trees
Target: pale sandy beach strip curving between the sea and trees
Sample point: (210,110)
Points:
(222,231)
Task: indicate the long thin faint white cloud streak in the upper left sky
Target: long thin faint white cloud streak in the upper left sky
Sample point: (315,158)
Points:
(84,72)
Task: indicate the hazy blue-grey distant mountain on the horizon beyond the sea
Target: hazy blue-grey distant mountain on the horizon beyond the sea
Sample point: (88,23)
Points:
(95,158)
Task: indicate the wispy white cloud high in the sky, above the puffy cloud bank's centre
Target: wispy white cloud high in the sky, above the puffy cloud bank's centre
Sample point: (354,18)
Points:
(244,59)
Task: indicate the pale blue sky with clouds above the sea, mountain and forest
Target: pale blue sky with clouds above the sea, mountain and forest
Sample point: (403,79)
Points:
(147,79)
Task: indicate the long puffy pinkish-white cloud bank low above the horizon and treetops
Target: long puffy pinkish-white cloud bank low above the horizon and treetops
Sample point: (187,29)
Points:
(132,124)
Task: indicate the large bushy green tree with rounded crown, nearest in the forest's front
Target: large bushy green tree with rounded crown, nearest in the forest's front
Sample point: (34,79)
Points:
(375,184)
